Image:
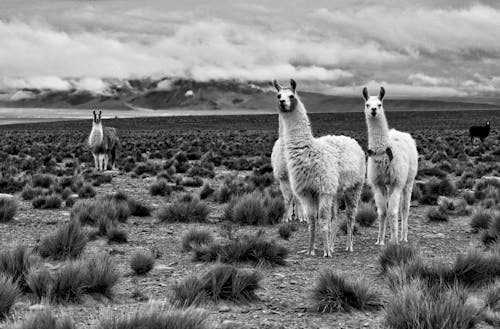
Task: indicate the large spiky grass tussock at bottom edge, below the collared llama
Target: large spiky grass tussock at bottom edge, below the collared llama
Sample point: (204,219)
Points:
(414,307)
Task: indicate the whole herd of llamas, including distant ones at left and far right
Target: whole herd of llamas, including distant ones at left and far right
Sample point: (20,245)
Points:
(313,172)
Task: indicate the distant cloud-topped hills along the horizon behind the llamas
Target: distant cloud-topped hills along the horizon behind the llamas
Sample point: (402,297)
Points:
(214,95)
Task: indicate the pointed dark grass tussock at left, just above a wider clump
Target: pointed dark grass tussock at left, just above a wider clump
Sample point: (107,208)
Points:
(68,241)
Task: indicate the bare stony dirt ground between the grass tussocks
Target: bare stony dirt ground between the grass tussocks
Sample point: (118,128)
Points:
(285,293)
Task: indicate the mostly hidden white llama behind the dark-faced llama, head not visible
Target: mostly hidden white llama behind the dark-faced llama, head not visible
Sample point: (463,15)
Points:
(280,171)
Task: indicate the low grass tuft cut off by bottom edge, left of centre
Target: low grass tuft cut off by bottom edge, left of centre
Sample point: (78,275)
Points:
(158,318)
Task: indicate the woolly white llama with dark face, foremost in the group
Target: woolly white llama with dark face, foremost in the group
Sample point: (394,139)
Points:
(318,169)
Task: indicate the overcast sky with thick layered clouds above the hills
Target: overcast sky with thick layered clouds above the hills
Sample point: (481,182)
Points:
(414,47)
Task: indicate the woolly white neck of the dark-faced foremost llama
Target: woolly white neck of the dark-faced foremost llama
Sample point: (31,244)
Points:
(297,129)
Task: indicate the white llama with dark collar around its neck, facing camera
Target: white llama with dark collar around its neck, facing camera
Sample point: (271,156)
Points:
(392,167)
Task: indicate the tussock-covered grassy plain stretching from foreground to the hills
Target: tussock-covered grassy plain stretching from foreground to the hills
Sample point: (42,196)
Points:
(211,176)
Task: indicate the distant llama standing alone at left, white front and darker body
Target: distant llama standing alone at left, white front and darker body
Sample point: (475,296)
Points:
(103,143)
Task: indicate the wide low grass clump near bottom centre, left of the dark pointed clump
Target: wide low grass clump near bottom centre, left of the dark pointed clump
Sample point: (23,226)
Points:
(221,282)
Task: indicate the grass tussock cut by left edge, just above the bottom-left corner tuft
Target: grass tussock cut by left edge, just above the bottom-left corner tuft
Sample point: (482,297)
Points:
(16,263)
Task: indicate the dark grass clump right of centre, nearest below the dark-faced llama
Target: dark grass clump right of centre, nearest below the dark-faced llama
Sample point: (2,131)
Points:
(334,293)
